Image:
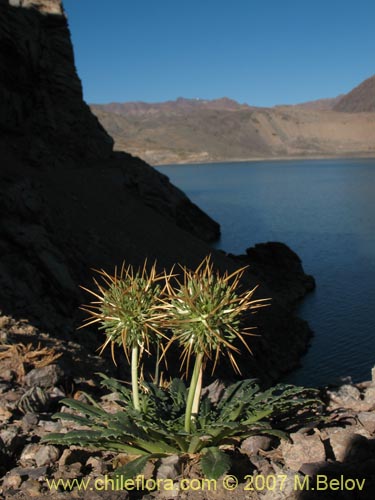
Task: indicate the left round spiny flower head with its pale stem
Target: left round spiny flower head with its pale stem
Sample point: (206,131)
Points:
(127,310)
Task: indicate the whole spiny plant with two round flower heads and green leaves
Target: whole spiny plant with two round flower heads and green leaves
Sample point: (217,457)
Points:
(204,311)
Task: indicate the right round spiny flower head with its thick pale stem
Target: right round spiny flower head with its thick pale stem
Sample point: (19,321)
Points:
(204,313)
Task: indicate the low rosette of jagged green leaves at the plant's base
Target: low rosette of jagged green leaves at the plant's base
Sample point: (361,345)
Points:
(158,429)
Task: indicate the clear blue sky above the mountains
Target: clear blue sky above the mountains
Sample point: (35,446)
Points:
(262,52)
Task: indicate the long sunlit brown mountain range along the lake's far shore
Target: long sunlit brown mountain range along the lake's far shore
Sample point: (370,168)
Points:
(200,130)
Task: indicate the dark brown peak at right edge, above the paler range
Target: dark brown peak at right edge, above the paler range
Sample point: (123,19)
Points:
(360,99)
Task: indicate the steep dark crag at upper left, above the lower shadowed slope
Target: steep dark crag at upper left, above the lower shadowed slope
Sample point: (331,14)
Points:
(42,112)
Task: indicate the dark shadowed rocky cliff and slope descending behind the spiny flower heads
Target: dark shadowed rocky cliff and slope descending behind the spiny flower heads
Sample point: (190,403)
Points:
(69,203)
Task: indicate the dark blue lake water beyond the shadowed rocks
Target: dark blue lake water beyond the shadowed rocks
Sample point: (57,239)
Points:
(325,211)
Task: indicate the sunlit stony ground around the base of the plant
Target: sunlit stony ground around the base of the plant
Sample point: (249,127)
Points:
(331,460)
